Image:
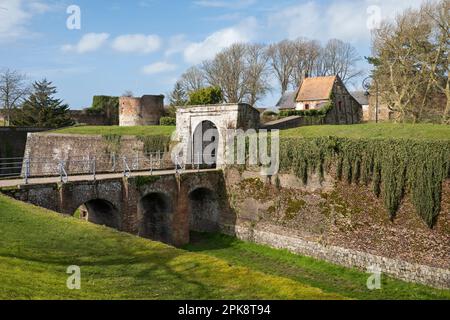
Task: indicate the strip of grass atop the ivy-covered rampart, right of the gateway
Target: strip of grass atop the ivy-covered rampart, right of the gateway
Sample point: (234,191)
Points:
(374,131)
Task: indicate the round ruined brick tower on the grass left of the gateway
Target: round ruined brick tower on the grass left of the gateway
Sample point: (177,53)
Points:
(144,111)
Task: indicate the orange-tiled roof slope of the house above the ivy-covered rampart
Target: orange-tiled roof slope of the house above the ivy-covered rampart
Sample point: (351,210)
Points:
(318,88)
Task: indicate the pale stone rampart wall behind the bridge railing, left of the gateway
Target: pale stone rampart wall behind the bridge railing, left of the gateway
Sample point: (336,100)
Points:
(46,151)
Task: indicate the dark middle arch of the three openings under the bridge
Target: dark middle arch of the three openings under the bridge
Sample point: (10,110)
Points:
(155,212)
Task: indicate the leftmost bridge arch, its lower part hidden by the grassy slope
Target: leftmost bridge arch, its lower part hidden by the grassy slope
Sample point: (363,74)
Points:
(100,212)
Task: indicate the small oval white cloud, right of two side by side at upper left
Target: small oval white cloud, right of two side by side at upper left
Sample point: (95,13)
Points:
(138,43)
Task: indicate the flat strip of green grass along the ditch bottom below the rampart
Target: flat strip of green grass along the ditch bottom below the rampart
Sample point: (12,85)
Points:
(328,277)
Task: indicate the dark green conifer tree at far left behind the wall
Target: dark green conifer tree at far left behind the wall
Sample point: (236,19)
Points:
(42,110)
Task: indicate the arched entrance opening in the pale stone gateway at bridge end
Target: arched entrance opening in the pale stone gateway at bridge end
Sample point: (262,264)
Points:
(205,144)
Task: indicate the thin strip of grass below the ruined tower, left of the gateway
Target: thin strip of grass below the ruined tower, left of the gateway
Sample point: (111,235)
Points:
(120,131)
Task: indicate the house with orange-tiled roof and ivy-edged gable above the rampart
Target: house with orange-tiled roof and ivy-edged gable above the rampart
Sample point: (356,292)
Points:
(319,92)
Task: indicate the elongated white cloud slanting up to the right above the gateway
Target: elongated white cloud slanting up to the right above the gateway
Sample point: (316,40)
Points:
(219,40)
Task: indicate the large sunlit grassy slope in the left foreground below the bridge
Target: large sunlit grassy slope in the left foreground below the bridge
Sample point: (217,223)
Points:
(37,246)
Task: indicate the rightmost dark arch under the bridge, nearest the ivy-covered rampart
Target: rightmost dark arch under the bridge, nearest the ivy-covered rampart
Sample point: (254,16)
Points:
(204,210)
